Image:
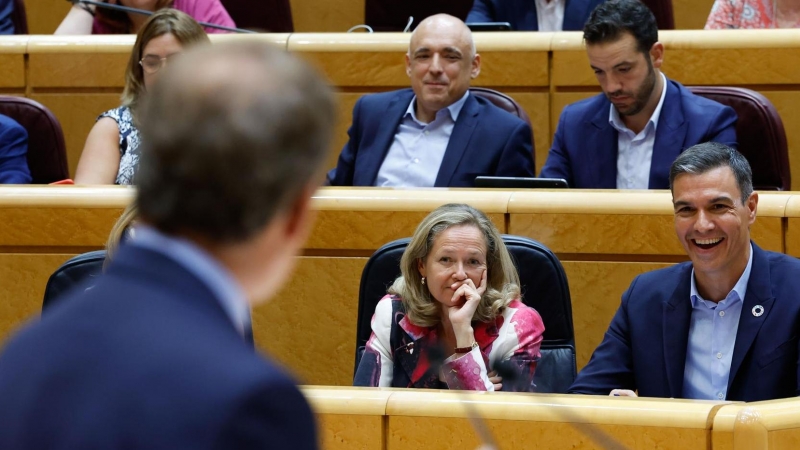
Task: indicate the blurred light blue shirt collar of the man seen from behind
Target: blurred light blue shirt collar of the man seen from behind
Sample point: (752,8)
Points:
(202,265)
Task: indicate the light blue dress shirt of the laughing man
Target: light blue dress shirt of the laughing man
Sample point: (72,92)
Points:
(712,335)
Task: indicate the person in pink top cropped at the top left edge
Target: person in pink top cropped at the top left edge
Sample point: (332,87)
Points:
(88,19)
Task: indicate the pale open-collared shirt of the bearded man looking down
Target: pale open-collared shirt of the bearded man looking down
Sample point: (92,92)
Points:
(635,151)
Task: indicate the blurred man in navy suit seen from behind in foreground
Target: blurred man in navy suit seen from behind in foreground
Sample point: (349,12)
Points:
(154,355)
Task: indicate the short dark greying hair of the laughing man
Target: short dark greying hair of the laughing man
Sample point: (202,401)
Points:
(701,158)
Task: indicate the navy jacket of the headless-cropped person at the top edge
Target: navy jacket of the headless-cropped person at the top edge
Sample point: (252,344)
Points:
(521,14)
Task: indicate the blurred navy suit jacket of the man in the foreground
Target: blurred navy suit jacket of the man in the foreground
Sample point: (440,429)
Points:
(145,359)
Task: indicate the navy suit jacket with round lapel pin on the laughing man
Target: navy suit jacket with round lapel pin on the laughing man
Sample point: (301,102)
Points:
(644,348)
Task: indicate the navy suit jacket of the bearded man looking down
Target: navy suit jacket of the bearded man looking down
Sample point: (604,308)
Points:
(584,150)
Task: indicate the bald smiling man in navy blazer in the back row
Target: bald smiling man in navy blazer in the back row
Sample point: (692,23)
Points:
(437,133)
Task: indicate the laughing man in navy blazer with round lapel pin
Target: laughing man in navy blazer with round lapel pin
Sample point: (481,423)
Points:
(721,327)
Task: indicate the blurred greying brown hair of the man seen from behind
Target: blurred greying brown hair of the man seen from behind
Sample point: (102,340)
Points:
(232,135)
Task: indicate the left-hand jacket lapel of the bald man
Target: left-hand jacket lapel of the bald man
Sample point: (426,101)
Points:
(384,135)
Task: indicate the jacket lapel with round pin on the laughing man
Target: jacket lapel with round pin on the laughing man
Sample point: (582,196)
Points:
(759,292)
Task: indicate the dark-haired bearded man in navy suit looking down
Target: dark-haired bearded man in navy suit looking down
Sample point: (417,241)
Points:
(627,137)
